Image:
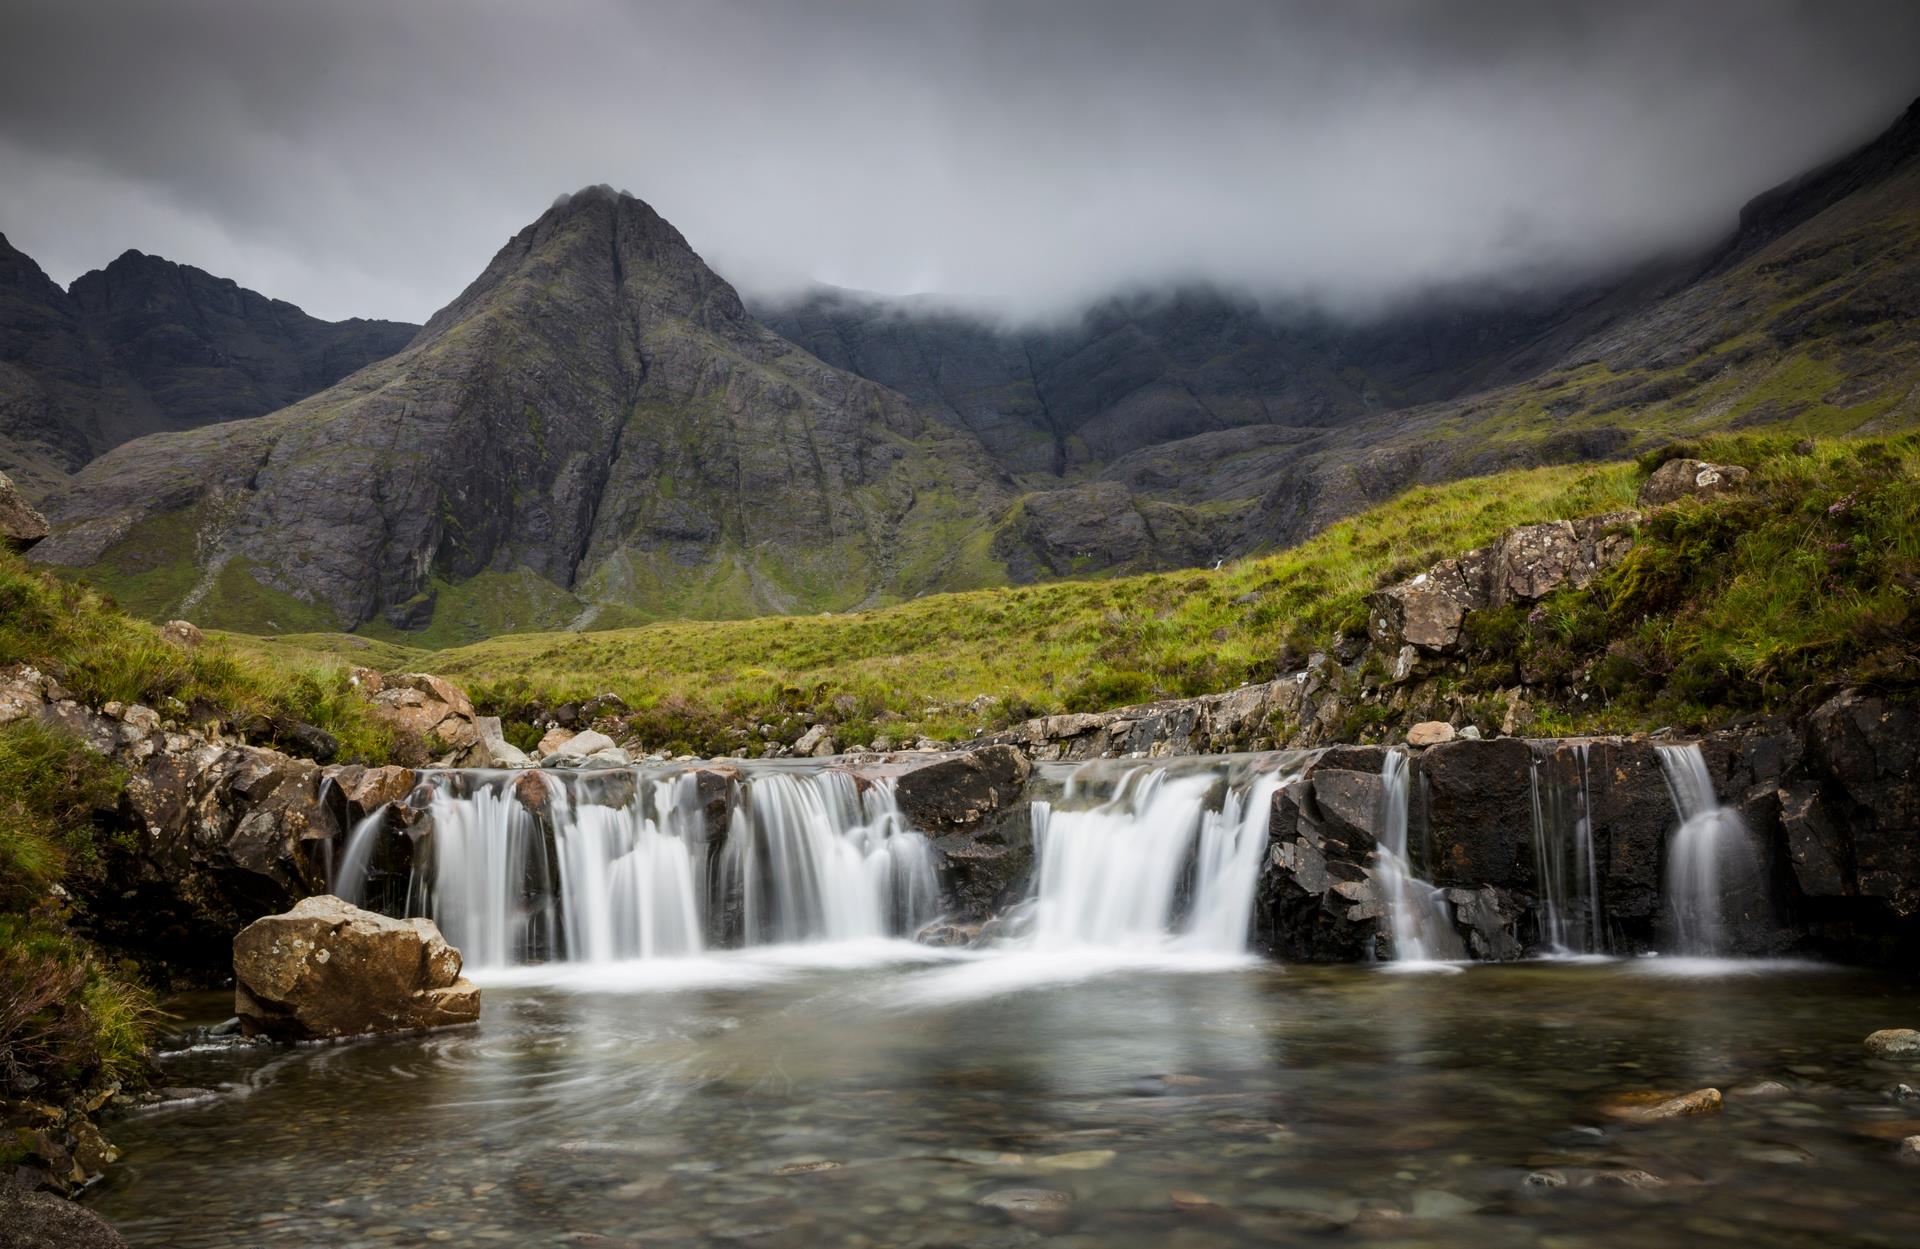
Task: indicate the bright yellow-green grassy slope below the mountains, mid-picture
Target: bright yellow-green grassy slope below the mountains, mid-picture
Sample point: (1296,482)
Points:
(1063,648)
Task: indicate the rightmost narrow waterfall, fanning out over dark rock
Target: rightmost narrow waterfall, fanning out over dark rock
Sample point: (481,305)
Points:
(1704,855)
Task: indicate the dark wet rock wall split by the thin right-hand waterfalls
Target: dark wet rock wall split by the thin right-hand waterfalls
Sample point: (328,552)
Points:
(1817,803)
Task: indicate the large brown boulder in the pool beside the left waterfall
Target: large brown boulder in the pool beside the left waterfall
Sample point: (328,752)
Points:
(333,970)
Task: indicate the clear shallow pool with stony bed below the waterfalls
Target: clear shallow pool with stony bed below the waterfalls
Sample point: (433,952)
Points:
(846,1096)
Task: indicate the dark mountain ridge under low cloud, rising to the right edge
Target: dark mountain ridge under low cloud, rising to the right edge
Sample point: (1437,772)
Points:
(1257,427)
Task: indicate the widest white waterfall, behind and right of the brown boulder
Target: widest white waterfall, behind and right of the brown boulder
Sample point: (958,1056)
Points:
(610,866)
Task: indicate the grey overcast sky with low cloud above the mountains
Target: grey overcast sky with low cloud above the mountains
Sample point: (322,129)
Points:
(370,156)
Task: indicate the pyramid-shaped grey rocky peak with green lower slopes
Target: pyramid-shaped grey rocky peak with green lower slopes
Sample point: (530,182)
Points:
(594,427)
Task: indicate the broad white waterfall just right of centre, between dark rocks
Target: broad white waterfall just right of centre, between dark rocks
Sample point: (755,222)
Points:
(1155,862)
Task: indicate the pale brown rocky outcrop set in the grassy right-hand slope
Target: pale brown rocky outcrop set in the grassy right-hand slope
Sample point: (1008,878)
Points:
(1527,565)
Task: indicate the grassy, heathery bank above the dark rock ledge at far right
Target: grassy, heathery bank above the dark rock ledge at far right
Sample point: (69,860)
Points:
(1752,603)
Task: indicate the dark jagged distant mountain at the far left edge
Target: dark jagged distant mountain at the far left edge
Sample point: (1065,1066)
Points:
(145,346)
